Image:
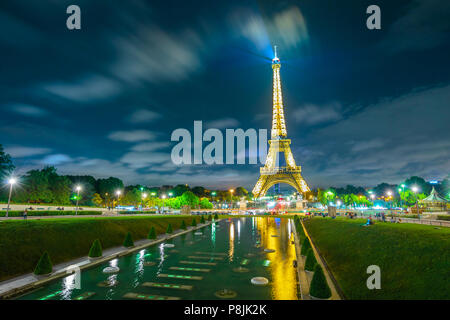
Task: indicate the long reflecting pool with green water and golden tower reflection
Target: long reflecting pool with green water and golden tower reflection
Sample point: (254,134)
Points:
(199,265)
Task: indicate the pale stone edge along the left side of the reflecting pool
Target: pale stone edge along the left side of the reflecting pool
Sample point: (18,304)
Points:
(28,282)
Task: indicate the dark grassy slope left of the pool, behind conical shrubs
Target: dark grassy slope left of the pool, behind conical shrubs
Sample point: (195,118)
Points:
(23,242)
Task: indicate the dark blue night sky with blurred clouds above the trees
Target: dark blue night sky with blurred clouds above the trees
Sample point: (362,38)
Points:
(362,106)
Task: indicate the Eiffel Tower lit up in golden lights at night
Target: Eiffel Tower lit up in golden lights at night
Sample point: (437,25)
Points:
(272,173)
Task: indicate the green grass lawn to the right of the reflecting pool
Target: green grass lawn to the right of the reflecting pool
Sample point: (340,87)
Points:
(414,259)
